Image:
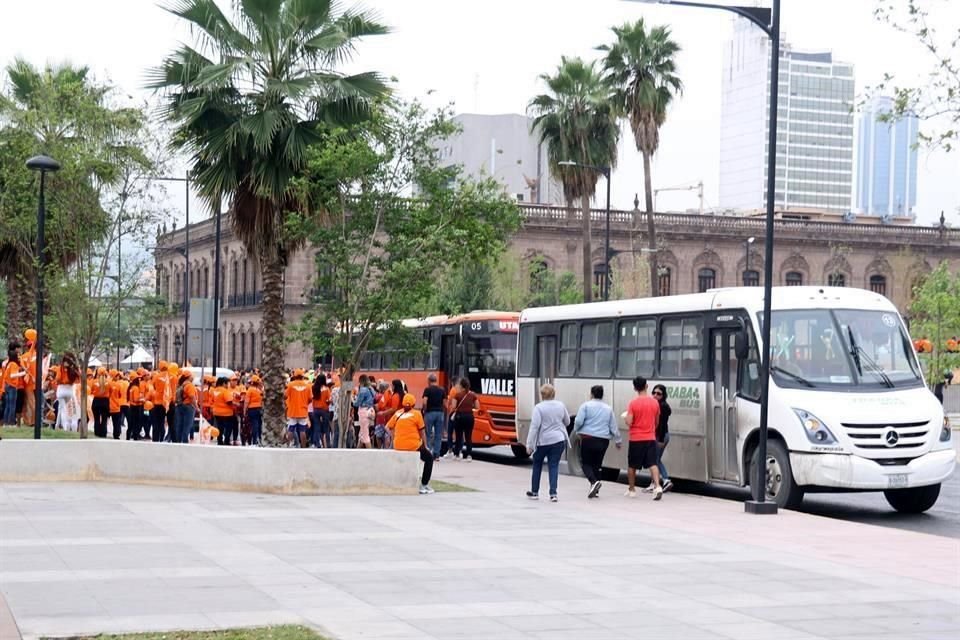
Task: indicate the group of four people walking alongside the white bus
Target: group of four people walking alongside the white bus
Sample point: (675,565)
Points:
(647,418)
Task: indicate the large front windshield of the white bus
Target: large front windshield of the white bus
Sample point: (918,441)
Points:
(845,348)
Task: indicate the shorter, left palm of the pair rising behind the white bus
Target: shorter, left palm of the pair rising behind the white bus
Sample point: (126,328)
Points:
(577,122)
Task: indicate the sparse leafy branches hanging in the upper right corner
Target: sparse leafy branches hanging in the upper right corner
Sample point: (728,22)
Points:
(937,99)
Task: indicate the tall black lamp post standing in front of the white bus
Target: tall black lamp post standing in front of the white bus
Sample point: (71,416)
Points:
(768,20)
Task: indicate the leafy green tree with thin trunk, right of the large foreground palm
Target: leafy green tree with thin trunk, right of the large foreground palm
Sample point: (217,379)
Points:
(383,252)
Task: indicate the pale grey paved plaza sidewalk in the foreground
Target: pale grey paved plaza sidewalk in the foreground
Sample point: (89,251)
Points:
(87,558)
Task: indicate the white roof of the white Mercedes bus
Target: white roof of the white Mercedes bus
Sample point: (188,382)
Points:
(750,298)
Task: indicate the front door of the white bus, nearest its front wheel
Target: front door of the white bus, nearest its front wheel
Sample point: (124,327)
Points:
(722,405)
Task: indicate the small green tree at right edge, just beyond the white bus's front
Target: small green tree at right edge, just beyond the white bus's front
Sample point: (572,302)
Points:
(935,315)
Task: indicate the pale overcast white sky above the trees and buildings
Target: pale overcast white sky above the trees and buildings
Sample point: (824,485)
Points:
(486,56)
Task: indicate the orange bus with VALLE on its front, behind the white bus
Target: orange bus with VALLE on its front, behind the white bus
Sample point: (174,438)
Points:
(480,346)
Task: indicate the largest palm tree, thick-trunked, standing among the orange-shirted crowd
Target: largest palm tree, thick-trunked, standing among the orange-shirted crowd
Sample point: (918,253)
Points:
(246,103)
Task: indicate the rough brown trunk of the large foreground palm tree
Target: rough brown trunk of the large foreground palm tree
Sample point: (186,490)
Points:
(274,413)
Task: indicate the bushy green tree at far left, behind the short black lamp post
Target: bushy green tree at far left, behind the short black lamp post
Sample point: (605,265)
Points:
(63,112)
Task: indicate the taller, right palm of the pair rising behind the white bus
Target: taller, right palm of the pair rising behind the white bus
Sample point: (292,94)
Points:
(641,71)
